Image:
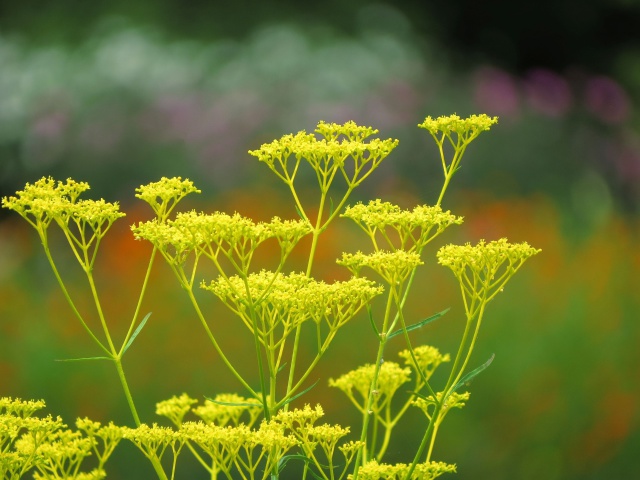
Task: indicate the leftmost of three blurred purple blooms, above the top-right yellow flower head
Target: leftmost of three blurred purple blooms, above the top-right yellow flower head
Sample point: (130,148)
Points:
(496,92)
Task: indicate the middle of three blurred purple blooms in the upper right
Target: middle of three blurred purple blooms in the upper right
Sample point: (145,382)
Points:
(547,92)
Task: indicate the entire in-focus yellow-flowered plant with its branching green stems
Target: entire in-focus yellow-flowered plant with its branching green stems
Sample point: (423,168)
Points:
(257,435)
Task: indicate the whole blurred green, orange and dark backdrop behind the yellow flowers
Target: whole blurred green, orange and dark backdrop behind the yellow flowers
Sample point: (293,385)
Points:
(120,93)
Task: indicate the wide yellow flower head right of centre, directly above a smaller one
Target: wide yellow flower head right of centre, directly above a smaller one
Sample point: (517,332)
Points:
(402,229)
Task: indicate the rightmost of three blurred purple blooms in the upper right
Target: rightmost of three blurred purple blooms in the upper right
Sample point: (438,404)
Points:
(607,100)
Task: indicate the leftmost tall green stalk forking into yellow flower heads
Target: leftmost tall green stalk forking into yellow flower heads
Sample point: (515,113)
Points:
(84,224)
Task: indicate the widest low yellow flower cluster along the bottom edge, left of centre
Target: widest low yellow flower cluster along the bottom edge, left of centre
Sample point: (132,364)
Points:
(239,445)
